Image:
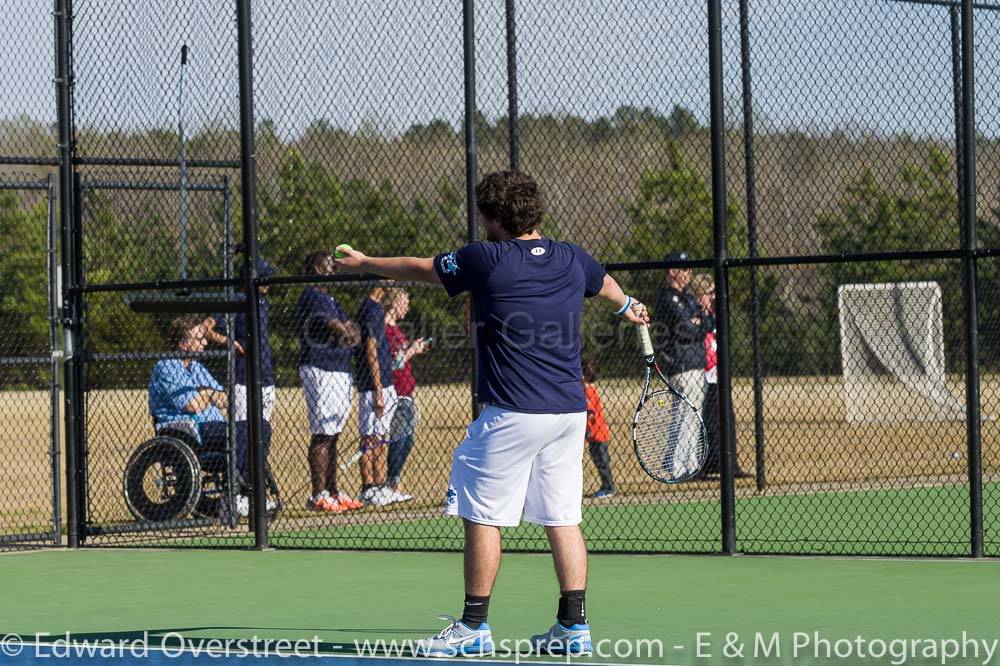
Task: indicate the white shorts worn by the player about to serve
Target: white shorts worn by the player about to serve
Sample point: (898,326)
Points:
(512,462)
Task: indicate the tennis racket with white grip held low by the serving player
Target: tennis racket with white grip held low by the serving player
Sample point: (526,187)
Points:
(668,434)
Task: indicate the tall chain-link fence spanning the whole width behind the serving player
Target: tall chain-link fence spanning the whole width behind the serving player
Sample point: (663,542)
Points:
(843,138)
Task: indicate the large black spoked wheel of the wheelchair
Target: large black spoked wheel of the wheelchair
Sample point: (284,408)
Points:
(162,480)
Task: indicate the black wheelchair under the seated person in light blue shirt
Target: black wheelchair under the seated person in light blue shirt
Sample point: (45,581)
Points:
(173,475)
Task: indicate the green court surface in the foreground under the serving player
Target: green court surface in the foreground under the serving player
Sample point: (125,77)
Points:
(342,597)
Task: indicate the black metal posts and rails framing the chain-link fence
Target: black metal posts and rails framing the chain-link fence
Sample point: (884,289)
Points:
(961,17)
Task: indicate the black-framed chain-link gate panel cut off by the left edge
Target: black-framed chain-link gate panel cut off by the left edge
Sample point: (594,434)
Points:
(29,399)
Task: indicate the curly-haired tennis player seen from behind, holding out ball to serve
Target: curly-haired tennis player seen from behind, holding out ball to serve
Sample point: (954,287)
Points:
(524,453)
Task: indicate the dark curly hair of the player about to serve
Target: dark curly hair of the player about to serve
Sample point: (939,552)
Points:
(512,199)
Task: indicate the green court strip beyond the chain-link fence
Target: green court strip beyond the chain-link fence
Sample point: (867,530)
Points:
(911,521)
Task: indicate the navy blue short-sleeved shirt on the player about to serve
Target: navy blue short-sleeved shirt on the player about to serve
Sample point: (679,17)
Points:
(527,302)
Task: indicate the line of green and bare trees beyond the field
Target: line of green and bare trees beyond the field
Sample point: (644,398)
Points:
(309,200)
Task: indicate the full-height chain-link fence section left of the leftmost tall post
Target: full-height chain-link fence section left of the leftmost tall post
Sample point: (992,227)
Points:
(29,397)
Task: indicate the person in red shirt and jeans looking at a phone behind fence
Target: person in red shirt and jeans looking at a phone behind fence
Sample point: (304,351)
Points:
(401,431)
